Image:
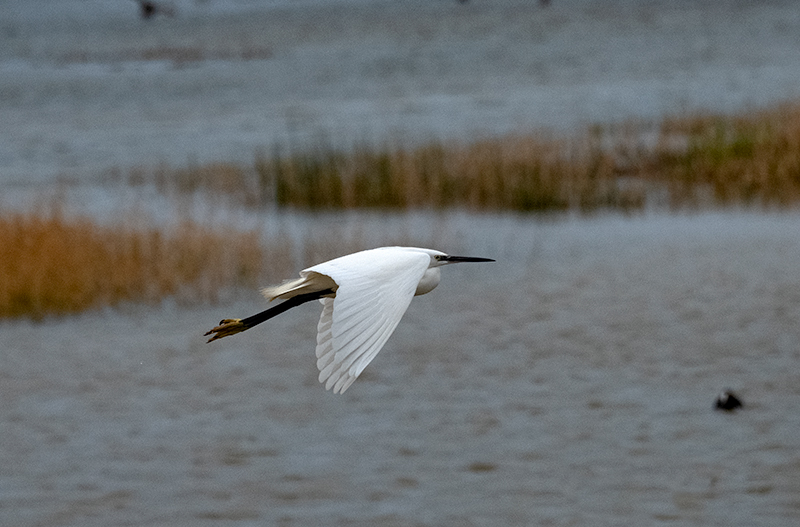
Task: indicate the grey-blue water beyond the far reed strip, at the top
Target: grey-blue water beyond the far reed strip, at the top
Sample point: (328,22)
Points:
(87,86)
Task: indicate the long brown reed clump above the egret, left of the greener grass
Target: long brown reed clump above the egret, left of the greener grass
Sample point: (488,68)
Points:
(514,173)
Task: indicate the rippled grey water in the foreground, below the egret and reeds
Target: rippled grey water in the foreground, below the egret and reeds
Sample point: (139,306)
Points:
(570,383)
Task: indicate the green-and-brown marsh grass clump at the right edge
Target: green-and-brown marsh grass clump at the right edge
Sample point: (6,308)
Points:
(751,159)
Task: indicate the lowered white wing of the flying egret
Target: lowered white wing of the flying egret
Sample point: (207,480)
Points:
(375,289)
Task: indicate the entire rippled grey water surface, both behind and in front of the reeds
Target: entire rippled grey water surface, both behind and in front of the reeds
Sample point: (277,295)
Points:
(570,383)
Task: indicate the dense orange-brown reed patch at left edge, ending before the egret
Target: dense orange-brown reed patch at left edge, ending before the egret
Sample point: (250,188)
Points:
(54,265)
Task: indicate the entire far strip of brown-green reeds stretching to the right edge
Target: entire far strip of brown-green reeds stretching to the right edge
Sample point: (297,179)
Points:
(701,160)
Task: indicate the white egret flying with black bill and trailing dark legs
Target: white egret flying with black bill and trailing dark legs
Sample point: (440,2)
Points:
(363,296)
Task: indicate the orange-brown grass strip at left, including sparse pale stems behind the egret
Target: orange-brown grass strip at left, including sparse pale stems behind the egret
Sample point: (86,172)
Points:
(54,263)
